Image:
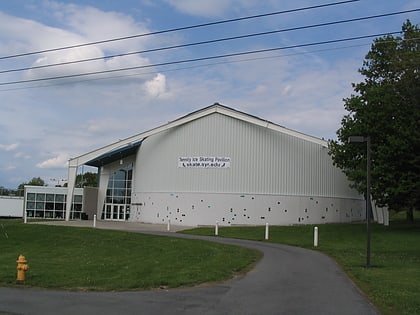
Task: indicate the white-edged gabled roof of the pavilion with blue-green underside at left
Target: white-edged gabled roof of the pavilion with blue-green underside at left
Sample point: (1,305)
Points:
(112,151)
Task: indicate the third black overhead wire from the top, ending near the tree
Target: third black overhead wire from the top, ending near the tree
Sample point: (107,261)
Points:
(198,59)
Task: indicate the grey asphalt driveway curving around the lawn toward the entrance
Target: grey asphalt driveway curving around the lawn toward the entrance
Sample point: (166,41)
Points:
(288,280)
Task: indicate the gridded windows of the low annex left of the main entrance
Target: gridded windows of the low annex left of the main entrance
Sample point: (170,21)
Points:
(50,204)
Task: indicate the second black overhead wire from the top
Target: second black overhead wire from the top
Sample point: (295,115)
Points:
(212,41)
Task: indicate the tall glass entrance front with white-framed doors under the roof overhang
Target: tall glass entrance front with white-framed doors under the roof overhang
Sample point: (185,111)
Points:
(118,195)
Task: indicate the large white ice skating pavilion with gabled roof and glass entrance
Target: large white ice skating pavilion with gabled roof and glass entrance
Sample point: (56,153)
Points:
(219,164)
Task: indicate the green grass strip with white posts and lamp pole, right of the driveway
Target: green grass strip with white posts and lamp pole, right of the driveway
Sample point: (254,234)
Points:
(393,282)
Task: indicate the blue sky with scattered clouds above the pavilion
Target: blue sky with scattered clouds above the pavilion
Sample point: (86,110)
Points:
(44,123)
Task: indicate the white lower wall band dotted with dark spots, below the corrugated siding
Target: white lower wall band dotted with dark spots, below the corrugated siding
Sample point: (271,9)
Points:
(194,209)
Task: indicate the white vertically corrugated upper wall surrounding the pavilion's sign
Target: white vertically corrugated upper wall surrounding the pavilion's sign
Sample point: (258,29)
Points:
(262,161)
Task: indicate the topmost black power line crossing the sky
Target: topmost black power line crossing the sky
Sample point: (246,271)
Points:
(180,29)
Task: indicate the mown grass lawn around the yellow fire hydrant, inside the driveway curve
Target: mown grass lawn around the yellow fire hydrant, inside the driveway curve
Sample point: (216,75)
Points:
(93,259)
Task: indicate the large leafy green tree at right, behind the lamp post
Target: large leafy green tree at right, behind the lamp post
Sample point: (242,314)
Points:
(386,107)
